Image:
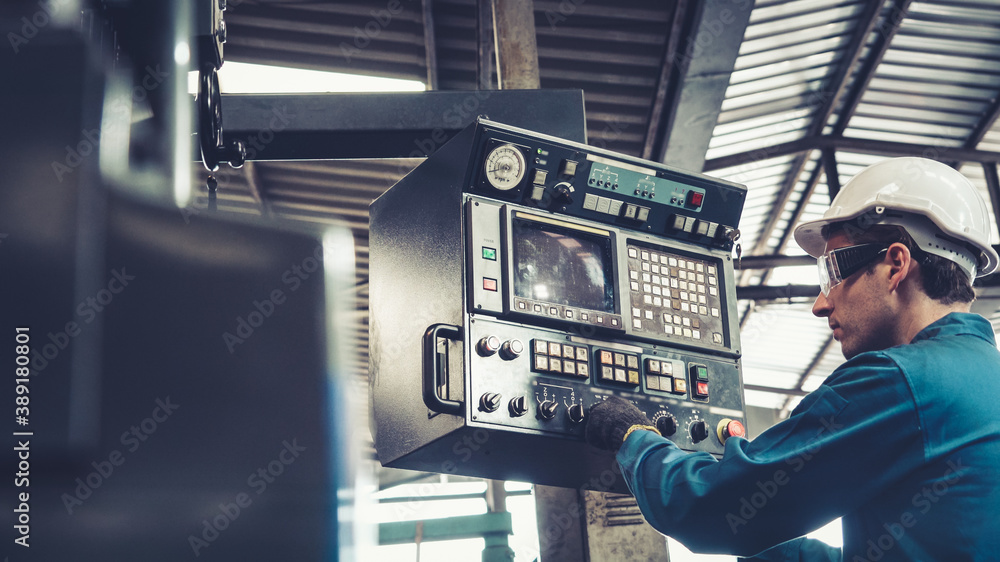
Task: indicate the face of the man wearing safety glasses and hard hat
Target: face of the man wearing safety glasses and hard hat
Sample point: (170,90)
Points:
(856,309)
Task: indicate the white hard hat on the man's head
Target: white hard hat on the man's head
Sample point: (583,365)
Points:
(939,208)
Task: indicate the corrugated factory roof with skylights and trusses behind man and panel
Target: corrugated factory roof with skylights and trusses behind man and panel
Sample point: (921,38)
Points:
(788,97)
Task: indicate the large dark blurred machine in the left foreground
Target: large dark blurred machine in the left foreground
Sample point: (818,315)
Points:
(185,398)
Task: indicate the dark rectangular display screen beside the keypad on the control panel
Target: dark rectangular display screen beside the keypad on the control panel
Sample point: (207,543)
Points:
(563,266)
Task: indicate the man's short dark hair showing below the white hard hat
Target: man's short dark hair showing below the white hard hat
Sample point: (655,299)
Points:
(941,279)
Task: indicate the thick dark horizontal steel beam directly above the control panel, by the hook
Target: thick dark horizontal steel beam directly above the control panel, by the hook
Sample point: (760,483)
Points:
(388,125)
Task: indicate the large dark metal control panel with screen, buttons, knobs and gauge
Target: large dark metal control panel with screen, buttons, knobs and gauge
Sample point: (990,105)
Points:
(517,280)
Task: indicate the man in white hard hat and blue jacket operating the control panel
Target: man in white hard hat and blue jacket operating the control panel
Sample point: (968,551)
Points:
(902,441)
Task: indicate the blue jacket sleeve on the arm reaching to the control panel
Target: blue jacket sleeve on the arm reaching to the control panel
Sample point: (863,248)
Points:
(845,441)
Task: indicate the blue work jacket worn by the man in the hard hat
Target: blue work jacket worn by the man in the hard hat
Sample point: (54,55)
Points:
(903,443)
